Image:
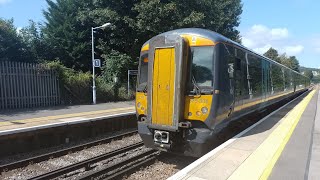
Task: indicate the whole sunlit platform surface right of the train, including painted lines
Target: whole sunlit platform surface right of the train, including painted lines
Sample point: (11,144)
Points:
(283,145)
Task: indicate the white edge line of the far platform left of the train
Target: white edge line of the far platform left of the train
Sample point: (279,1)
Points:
(26,129)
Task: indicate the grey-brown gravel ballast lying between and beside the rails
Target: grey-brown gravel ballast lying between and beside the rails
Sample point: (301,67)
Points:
(165,166)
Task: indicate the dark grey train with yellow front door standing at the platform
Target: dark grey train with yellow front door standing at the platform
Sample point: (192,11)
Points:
(193,82)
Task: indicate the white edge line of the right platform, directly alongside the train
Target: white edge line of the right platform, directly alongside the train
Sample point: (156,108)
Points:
(183,173)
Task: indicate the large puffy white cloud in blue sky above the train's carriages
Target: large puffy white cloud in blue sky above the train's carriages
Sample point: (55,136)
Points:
(260,38)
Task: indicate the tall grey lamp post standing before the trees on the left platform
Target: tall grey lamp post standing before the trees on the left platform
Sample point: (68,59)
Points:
(94,97)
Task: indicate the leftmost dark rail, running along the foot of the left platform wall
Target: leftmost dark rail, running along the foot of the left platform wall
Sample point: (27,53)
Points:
(43,157)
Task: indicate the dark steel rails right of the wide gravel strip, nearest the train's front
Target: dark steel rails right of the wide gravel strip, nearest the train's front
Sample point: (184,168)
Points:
(108,172)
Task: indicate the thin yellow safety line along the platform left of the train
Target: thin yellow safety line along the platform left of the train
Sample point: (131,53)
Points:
(66,116)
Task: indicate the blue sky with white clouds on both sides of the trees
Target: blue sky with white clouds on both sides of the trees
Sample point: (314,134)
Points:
(290,26)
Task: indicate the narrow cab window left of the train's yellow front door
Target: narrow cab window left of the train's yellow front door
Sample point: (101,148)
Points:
(143,72)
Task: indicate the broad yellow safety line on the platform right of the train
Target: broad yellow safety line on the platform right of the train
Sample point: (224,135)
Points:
(260,163)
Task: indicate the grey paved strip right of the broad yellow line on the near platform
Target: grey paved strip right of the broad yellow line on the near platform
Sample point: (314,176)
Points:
(294,159)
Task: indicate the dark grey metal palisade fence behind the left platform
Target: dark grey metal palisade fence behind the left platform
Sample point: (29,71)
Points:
(24,85)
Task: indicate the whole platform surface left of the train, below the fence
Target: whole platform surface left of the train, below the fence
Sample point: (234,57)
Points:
(24,120)
